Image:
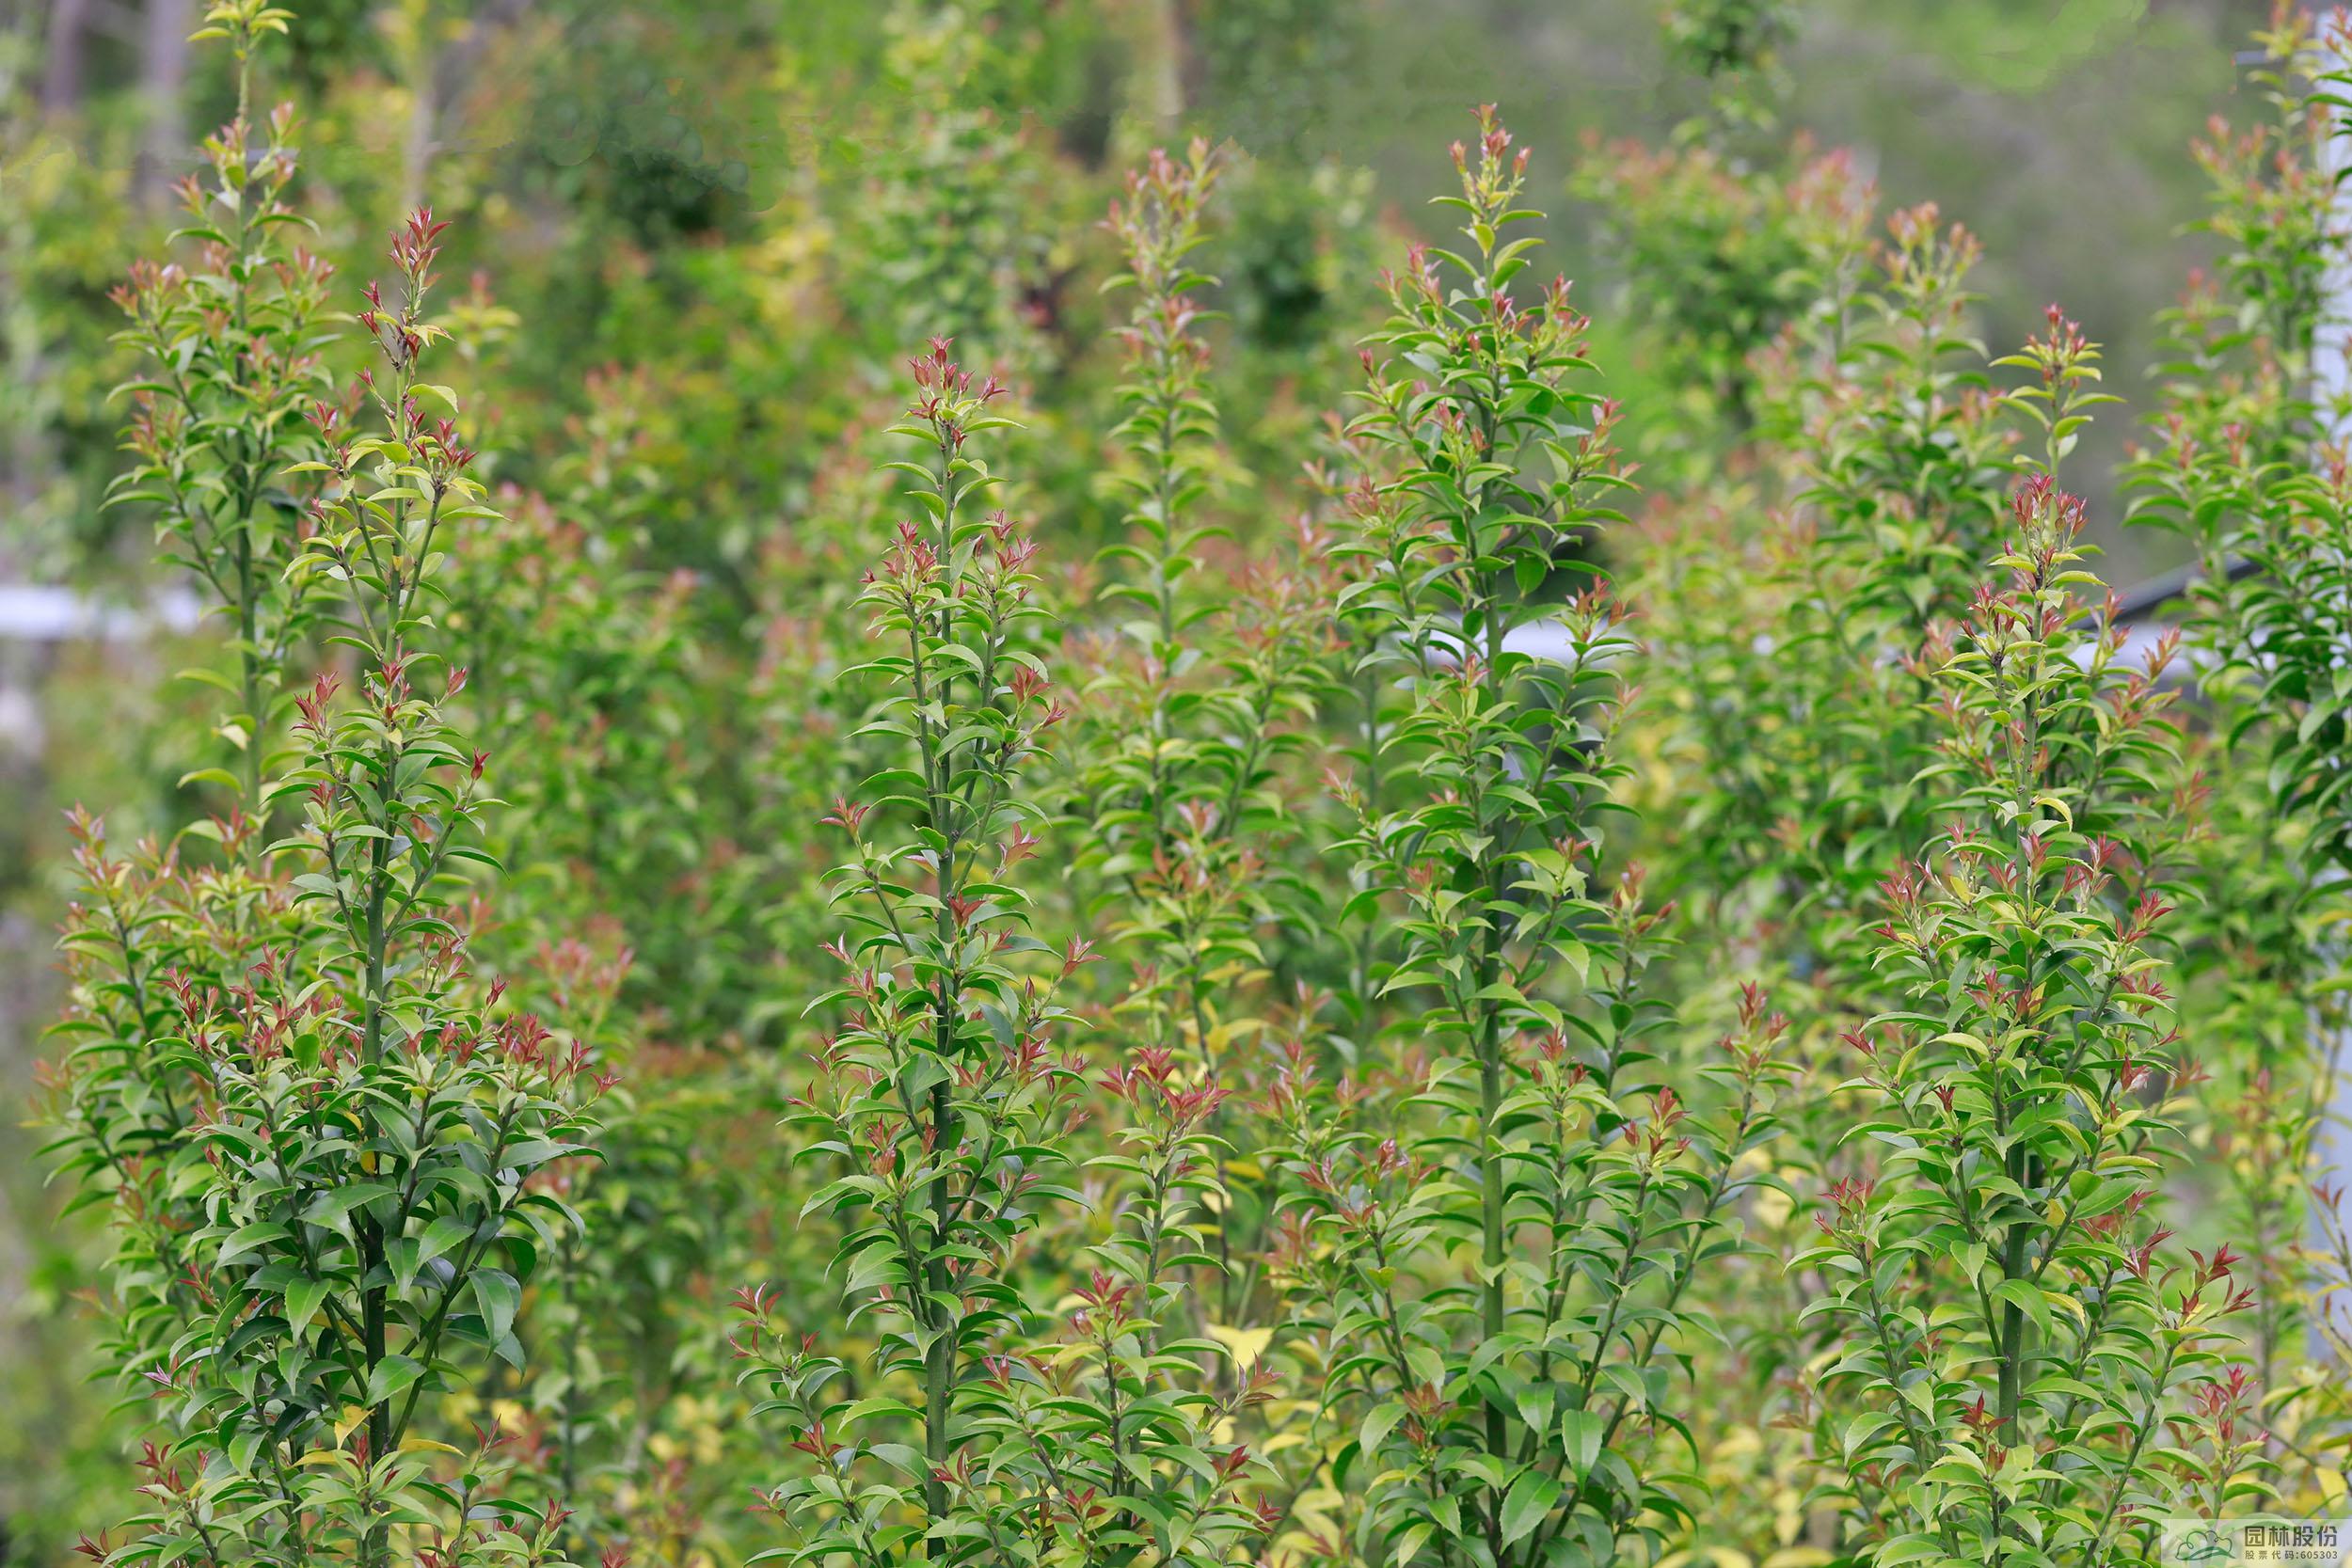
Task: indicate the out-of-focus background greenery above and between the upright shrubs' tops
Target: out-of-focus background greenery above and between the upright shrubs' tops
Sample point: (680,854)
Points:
(693,243)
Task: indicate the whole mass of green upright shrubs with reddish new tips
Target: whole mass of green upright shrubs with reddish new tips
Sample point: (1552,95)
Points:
(1231,918)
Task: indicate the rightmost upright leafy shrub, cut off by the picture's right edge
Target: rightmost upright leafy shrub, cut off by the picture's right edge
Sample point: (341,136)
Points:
(2245,460)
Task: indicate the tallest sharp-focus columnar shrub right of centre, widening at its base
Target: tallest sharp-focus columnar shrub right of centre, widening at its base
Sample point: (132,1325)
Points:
(1504,1419)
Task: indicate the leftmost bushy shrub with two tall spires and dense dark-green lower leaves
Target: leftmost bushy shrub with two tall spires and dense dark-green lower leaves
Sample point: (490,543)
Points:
(316,1123)
